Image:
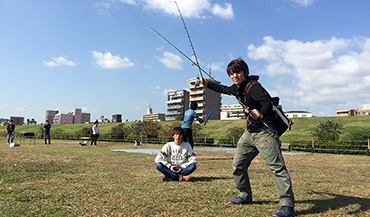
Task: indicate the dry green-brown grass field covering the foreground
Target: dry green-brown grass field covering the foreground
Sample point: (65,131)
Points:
(63,179)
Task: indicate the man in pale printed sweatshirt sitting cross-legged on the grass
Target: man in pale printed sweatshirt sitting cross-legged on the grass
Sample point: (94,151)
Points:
(176,160)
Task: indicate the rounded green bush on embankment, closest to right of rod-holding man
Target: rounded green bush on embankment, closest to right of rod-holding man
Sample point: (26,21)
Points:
(327,130)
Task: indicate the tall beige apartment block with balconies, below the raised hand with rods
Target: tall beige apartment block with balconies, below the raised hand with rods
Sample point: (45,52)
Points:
(208,100)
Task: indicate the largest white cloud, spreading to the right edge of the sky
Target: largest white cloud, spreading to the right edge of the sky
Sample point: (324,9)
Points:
(324,75)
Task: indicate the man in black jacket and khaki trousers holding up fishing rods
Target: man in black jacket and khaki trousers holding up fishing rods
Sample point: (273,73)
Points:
(260,137)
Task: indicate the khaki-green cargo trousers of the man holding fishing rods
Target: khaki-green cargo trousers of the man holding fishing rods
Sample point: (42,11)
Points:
(268,145)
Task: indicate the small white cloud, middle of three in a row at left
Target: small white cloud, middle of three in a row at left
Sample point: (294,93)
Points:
(108,61)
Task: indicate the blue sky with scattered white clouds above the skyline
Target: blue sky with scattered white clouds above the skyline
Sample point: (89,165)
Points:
(99,55)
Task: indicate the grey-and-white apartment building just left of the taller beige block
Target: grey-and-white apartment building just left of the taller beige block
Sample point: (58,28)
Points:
(177,104)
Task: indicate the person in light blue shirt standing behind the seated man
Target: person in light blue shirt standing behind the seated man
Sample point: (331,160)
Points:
(189,116)
